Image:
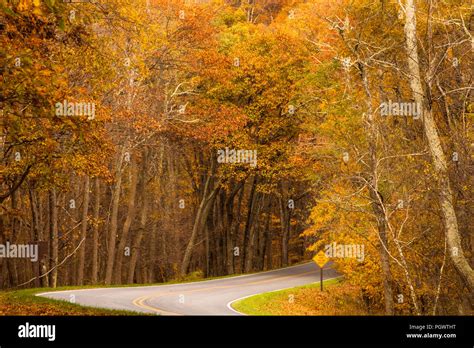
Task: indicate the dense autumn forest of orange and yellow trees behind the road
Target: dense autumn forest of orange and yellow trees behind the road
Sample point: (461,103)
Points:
(153,140)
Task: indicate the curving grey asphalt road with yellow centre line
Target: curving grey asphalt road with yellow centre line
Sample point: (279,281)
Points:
(210,297)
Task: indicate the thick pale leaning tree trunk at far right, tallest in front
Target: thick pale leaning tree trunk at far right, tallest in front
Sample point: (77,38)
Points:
(438,157)
